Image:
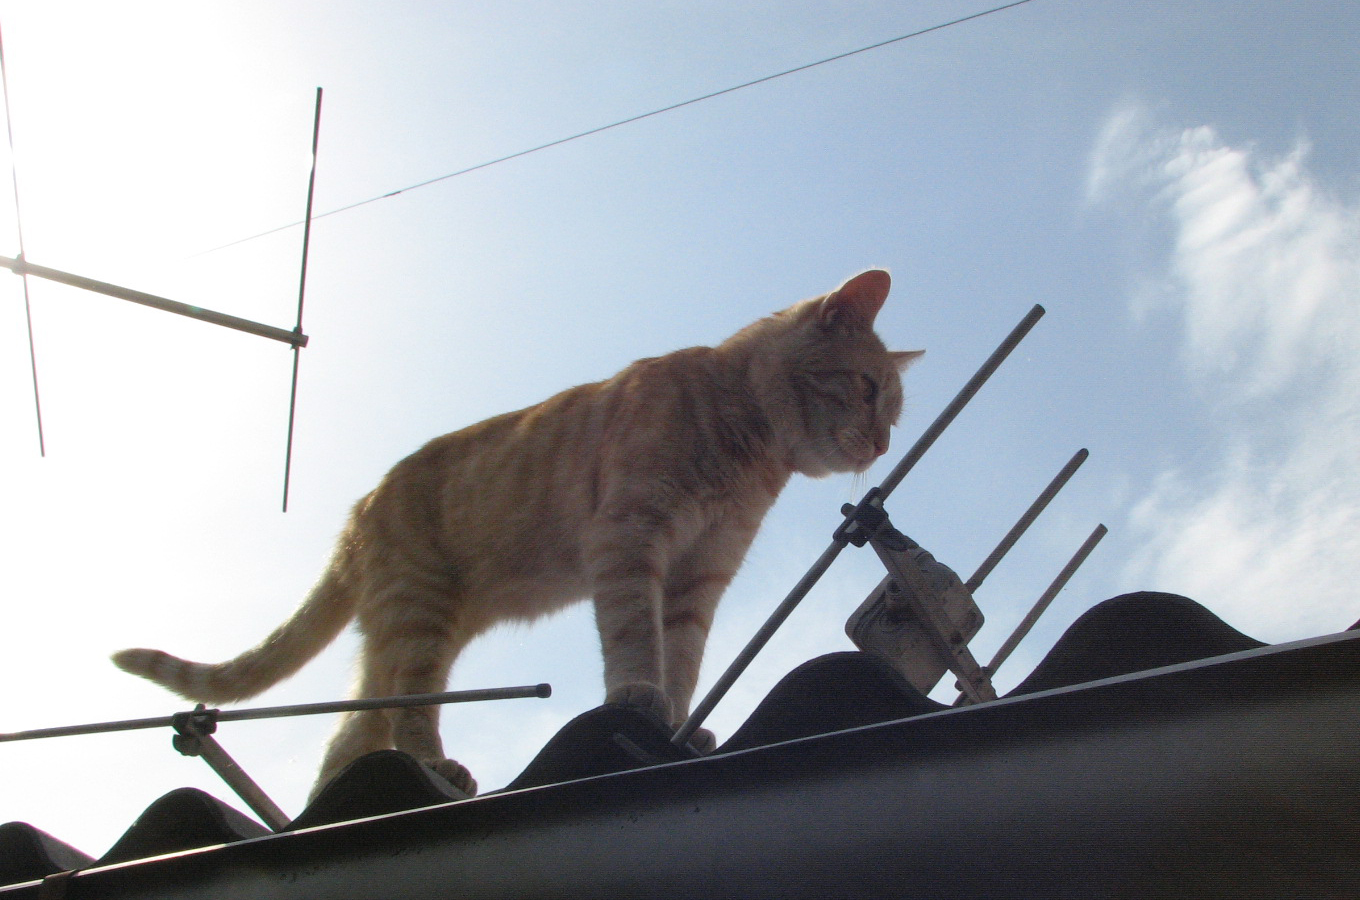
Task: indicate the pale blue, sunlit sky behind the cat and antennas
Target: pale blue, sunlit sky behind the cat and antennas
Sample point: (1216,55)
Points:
(1177,184)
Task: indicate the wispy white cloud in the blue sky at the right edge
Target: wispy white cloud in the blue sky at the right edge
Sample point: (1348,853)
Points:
(1267,283)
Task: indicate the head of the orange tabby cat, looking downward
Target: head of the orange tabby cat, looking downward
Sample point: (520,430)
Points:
(829,387)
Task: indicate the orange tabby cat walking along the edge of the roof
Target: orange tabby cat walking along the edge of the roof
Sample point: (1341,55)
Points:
(643,491)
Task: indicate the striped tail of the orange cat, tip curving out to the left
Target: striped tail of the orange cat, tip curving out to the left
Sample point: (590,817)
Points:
(322,618)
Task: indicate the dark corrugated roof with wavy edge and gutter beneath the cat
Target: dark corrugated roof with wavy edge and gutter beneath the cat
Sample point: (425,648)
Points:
(1219,767)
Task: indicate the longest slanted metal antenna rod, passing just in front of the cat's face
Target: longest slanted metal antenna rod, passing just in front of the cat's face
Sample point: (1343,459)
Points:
(829,557)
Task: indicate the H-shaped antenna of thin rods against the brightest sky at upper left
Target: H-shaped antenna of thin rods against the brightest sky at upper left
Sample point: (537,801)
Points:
(294,338)
